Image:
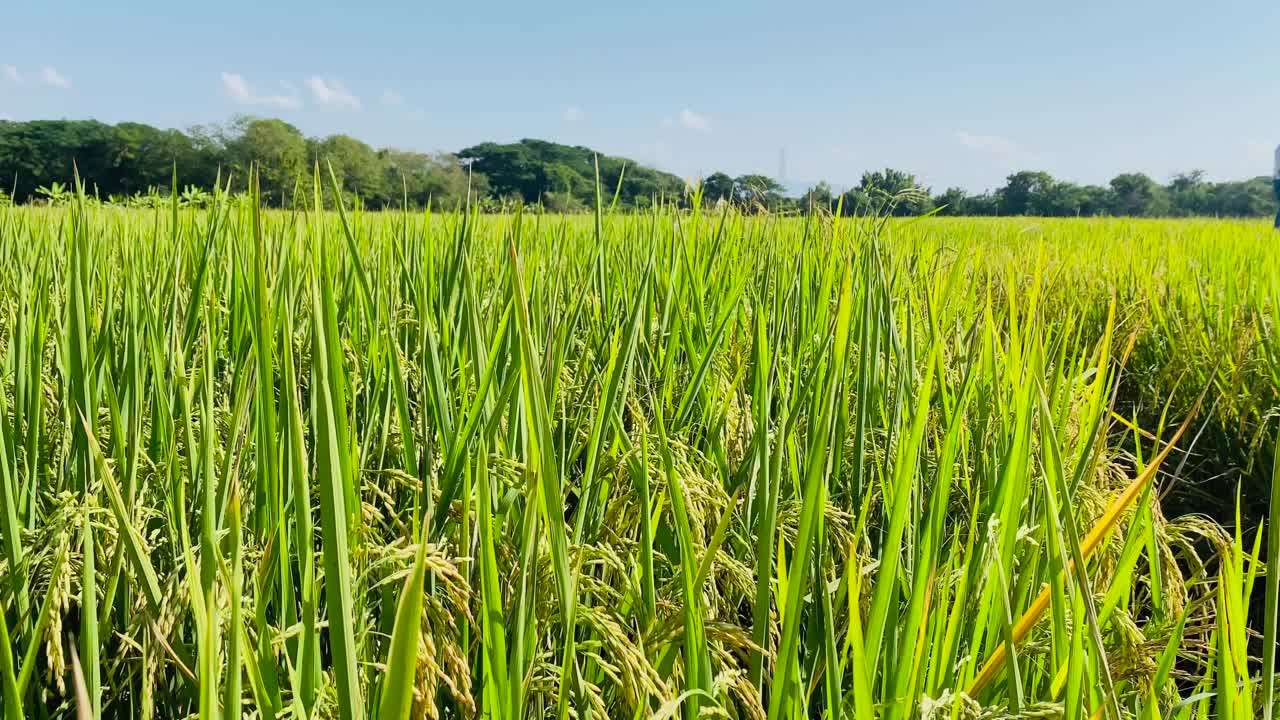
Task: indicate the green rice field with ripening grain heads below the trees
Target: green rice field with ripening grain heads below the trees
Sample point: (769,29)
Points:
(636,466)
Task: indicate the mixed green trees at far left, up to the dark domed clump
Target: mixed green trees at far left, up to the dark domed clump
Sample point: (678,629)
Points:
(127,163)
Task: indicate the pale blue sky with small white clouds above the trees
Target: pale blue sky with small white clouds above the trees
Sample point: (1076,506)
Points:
(961,94)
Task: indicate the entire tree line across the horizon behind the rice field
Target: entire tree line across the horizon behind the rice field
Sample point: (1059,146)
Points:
(132,163)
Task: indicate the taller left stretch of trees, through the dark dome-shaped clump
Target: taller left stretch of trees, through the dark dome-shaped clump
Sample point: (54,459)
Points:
(134,163)
